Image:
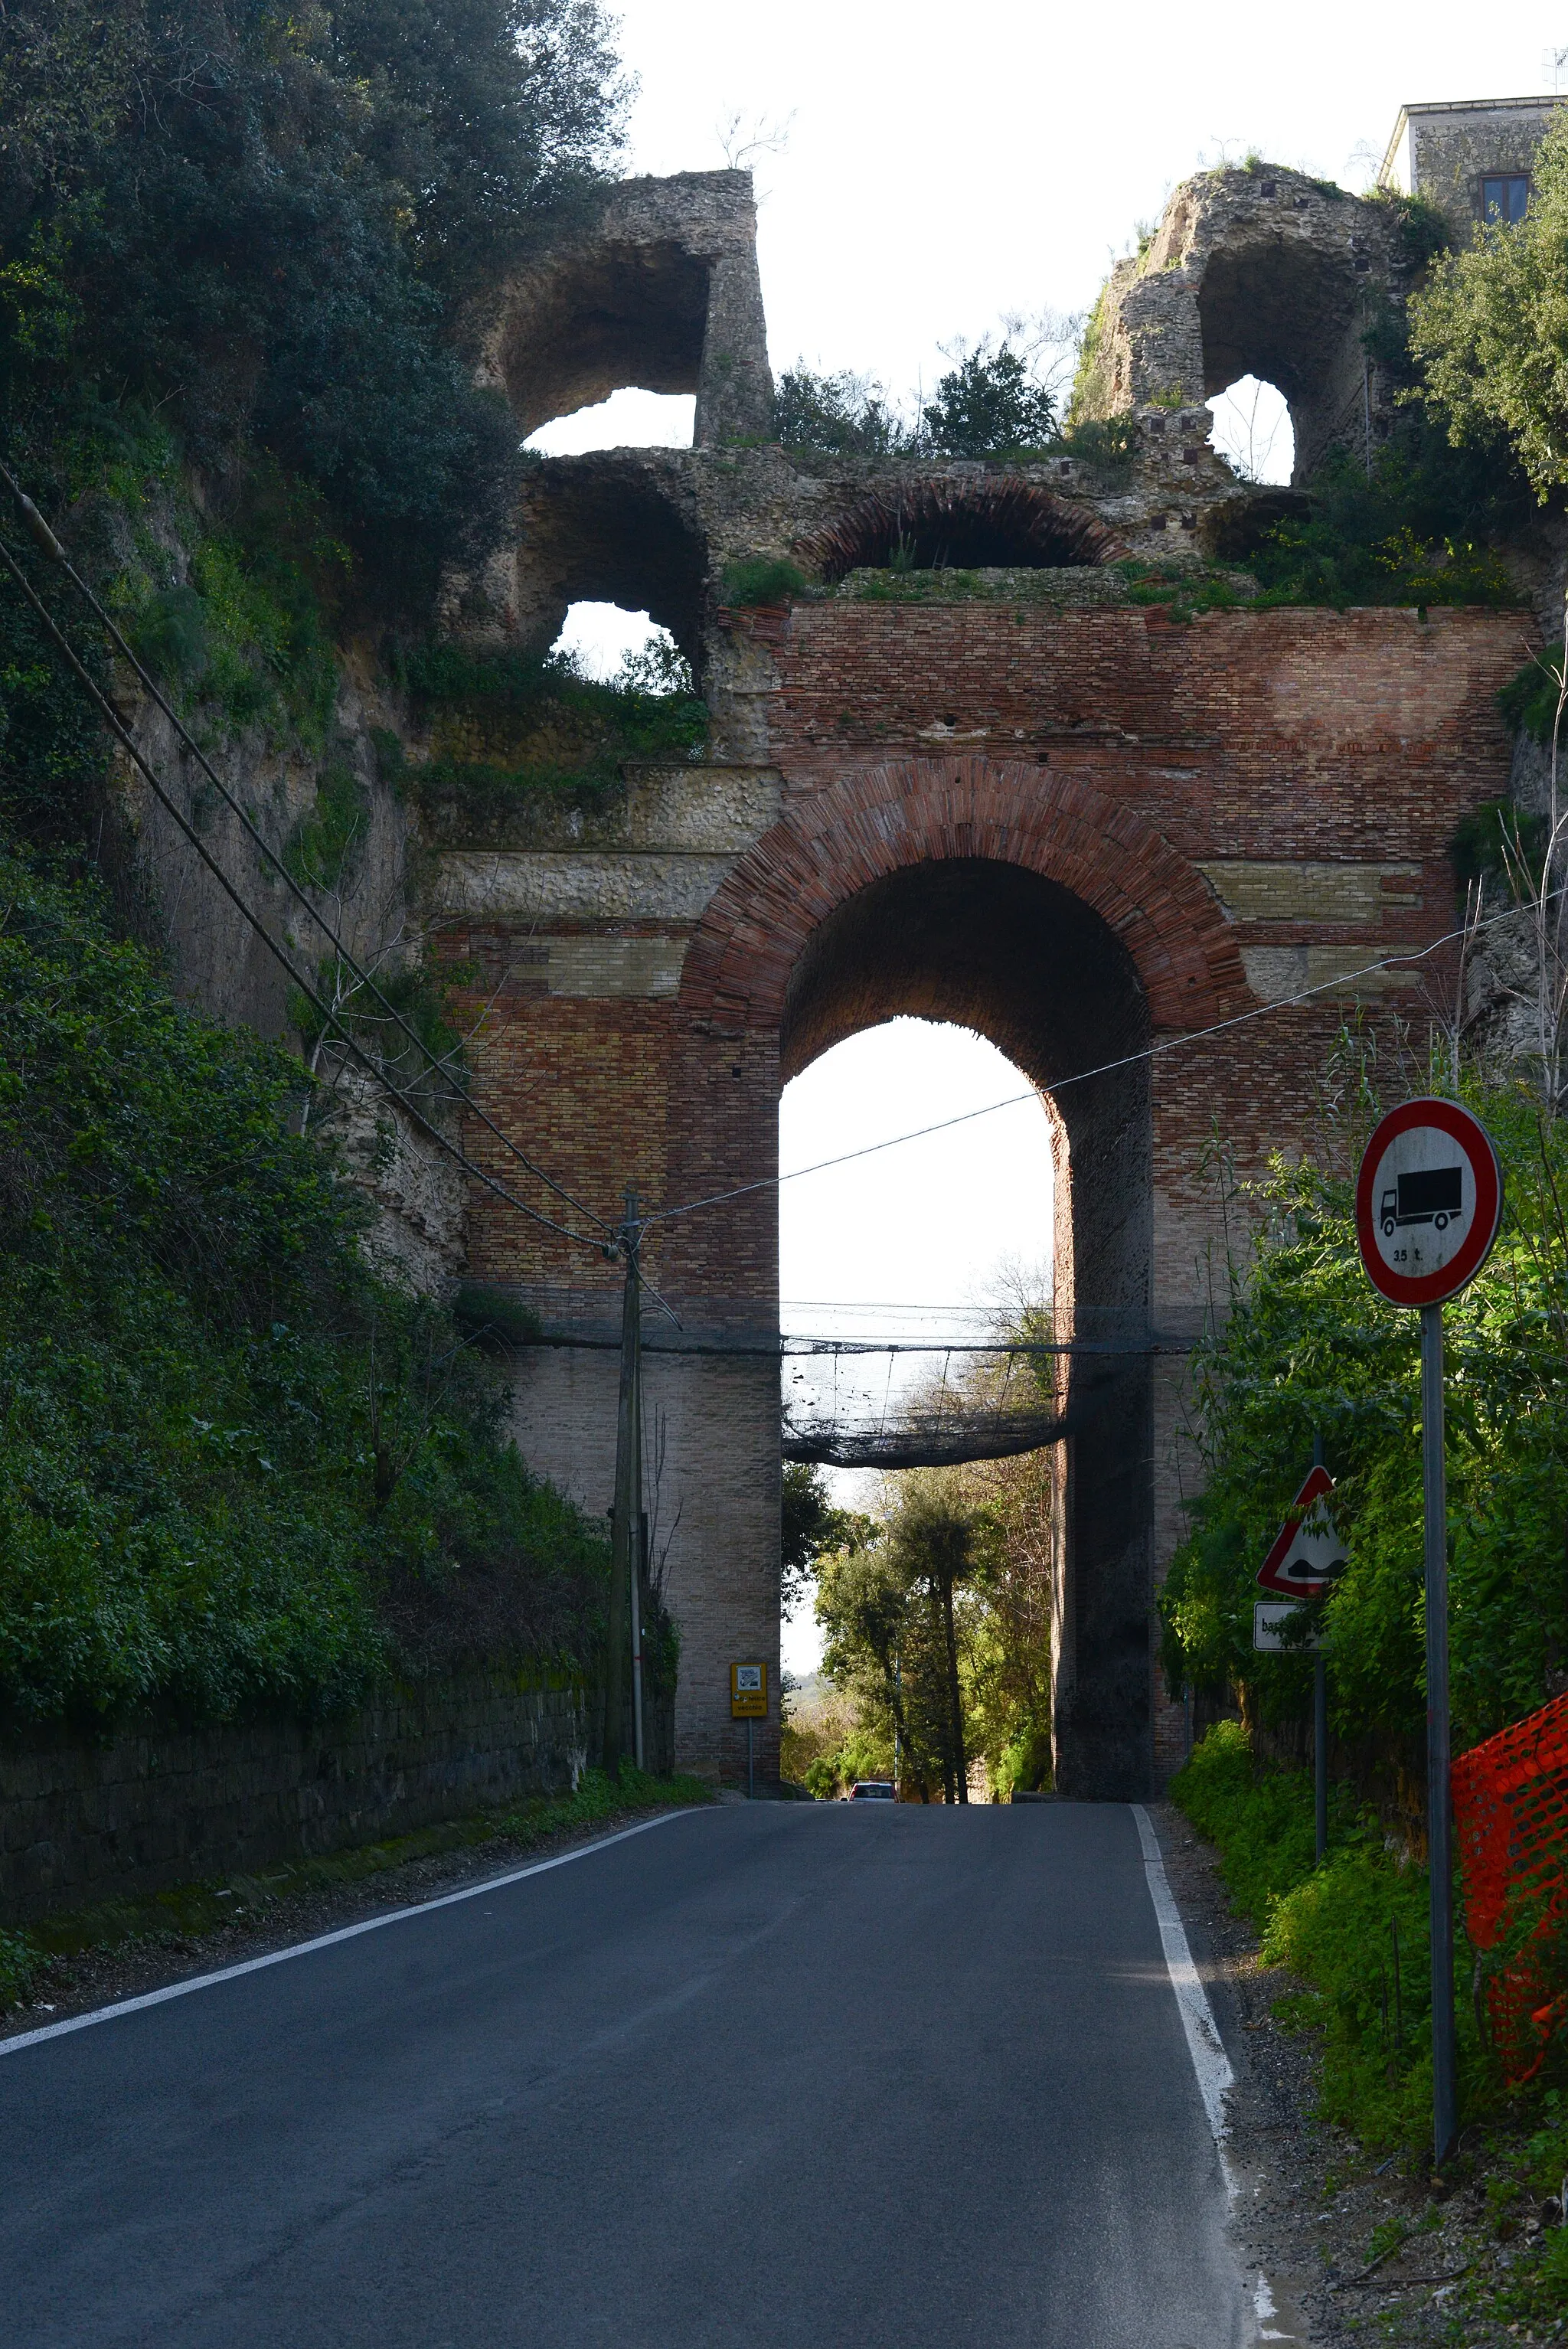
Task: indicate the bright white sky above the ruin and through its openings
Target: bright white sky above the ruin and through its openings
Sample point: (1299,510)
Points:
(947,170)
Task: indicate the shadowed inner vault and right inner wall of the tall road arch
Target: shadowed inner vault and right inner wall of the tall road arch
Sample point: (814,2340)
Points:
(1027,964)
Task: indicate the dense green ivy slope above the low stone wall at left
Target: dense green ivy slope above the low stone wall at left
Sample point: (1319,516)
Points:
(236,1467)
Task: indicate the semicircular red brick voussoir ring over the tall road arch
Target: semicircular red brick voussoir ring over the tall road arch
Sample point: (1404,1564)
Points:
(912,812)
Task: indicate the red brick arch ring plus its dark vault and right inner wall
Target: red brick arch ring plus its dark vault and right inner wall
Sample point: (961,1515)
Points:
(1039,913)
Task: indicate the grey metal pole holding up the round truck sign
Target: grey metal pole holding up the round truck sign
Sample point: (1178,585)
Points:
(1440,1808)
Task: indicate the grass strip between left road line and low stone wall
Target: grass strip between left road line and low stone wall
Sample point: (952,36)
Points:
(184,1913)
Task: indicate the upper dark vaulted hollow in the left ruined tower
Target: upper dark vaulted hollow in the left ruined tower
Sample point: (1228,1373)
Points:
(602,321)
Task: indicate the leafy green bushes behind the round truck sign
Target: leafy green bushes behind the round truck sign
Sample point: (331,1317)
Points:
(1306,1350)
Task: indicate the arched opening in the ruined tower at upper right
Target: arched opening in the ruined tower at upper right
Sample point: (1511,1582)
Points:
(1285,316)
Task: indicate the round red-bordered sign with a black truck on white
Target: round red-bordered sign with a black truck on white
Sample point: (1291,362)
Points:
(1428,1202)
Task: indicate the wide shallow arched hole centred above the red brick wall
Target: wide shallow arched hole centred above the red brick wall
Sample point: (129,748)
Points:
(985,525)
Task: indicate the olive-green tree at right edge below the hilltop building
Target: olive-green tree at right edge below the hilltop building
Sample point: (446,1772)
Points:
(1492,328)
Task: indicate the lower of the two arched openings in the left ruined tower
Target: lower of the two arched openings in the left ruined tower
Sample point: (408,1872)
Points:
(611,534)
